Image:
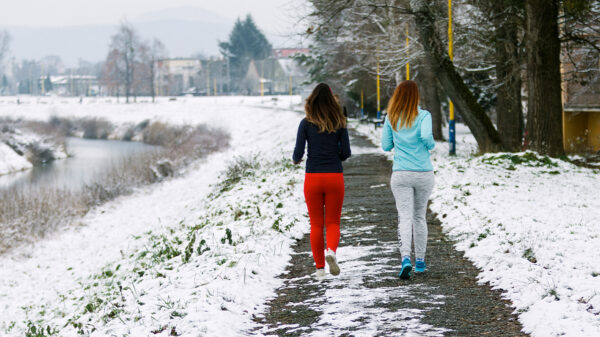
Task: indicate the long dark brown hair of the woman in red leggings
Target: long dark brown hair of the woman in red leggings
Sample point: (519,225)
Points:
(323,110)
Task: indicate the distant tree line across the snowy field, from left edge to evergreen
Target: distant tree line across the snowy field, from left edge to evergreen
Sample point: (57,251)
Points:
(130,66)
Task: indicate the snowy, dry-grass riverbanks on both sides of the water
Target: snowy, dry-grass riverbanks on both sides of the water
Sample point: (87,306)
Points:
(28,213)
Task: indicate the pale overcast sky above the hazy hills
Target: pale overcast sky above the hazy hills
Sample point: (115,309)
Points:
(273,16)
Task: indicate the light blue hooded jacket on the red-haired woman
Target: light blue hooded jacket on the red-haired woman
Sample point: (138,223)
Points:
(411,145)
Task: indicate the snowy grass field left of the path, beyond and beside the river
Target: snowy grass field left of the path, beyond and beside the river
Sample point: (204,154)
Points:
(196,255)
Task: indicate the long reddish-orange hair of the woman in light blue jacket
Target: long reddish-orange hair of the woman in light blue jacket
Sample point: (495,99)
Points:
(403,105)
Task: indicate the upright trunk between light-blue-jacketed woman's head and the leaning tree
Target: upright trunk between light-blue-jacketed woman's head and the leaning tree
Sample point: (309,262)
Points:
(431,98)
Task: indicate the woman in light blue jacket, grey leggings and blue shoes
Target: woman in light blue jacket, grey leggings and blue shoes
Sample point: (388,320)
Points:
(407,130)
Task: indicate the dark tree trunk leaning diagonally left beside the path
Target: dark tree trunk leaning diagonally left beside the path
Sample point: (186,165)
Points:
(473,114)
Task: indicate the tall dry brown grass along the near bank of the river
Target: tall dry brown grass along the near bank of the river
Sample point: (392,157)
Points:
(30,213)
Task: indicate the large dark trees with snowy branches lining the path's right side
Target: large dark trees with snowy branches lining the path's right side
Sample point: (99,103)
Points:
(501,48)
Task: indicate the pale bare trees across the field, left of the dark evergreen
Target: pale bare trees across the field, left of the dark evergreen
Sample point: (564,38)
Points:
(130,65)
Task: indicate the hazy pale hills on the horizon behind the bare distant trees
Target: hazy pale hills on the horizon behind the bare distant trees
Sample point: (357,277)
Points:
(184,31)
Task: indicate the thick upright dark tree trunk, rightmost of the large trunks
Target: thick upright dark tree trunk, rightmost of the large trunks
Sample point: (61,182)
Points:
(544,106)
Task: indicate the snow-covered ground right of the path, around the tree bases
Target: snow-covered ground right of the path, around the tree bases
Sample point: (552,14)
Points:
(530,224)
